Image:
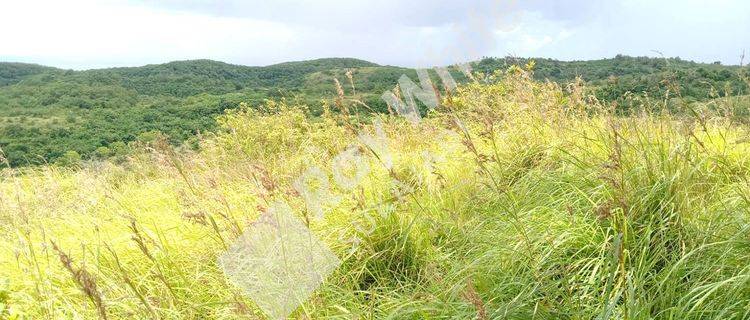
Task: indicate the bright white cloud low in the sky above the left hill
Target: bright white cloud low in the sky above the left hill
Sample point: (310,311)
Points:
(94,33)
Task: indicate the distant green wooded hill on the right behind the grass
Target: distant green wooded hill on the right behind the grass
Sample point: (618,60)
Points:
(613,78)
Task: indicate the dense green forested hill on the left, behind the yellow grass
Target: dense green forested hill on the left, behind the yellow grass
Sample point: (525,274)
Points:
(46,112)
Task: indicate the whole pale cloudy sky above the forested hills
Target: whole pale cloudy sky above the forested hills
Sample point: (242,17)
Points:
(84,34)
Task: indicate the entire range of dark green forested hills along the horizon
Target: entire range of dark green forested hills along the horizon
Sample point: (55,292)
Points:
(47,112)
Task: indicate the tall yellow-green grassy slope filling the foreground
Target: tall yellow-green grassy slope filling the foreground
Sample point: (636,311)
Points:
(546,206)
